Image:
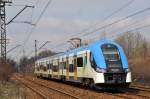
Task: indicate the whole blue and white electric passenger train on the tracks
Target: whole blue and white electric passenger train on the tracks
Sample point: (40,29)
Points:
(100,64)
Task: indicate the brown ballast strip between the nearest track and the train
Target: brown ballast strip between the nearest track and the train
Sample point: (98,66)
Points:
(80,92)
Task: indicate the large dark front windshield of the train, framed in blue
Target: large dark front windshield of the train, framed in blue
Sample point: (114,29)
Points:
(111,55)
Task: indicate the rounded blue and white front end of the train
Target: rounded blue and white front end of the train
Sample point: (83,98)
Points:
(110,65)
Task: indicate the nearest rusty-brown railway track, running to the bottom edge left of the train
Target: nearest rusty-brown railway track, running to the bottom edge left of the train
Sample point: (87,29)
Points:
(43,90)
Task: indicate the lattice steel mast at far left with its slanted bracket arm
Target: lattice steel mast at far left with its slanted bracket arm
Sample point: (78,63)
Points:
(3,40)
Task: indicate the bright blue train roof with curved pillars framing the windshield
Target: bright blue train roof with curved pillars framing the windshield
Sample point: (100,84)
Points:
(96,52)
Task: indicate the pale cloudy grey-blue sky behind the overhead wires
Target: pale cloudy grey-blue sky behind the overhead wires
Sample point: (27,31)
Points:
(65,19)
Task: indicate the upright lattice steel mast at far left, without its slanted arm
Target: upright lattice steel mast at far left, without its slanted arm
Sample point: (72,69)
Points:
(3,29)
